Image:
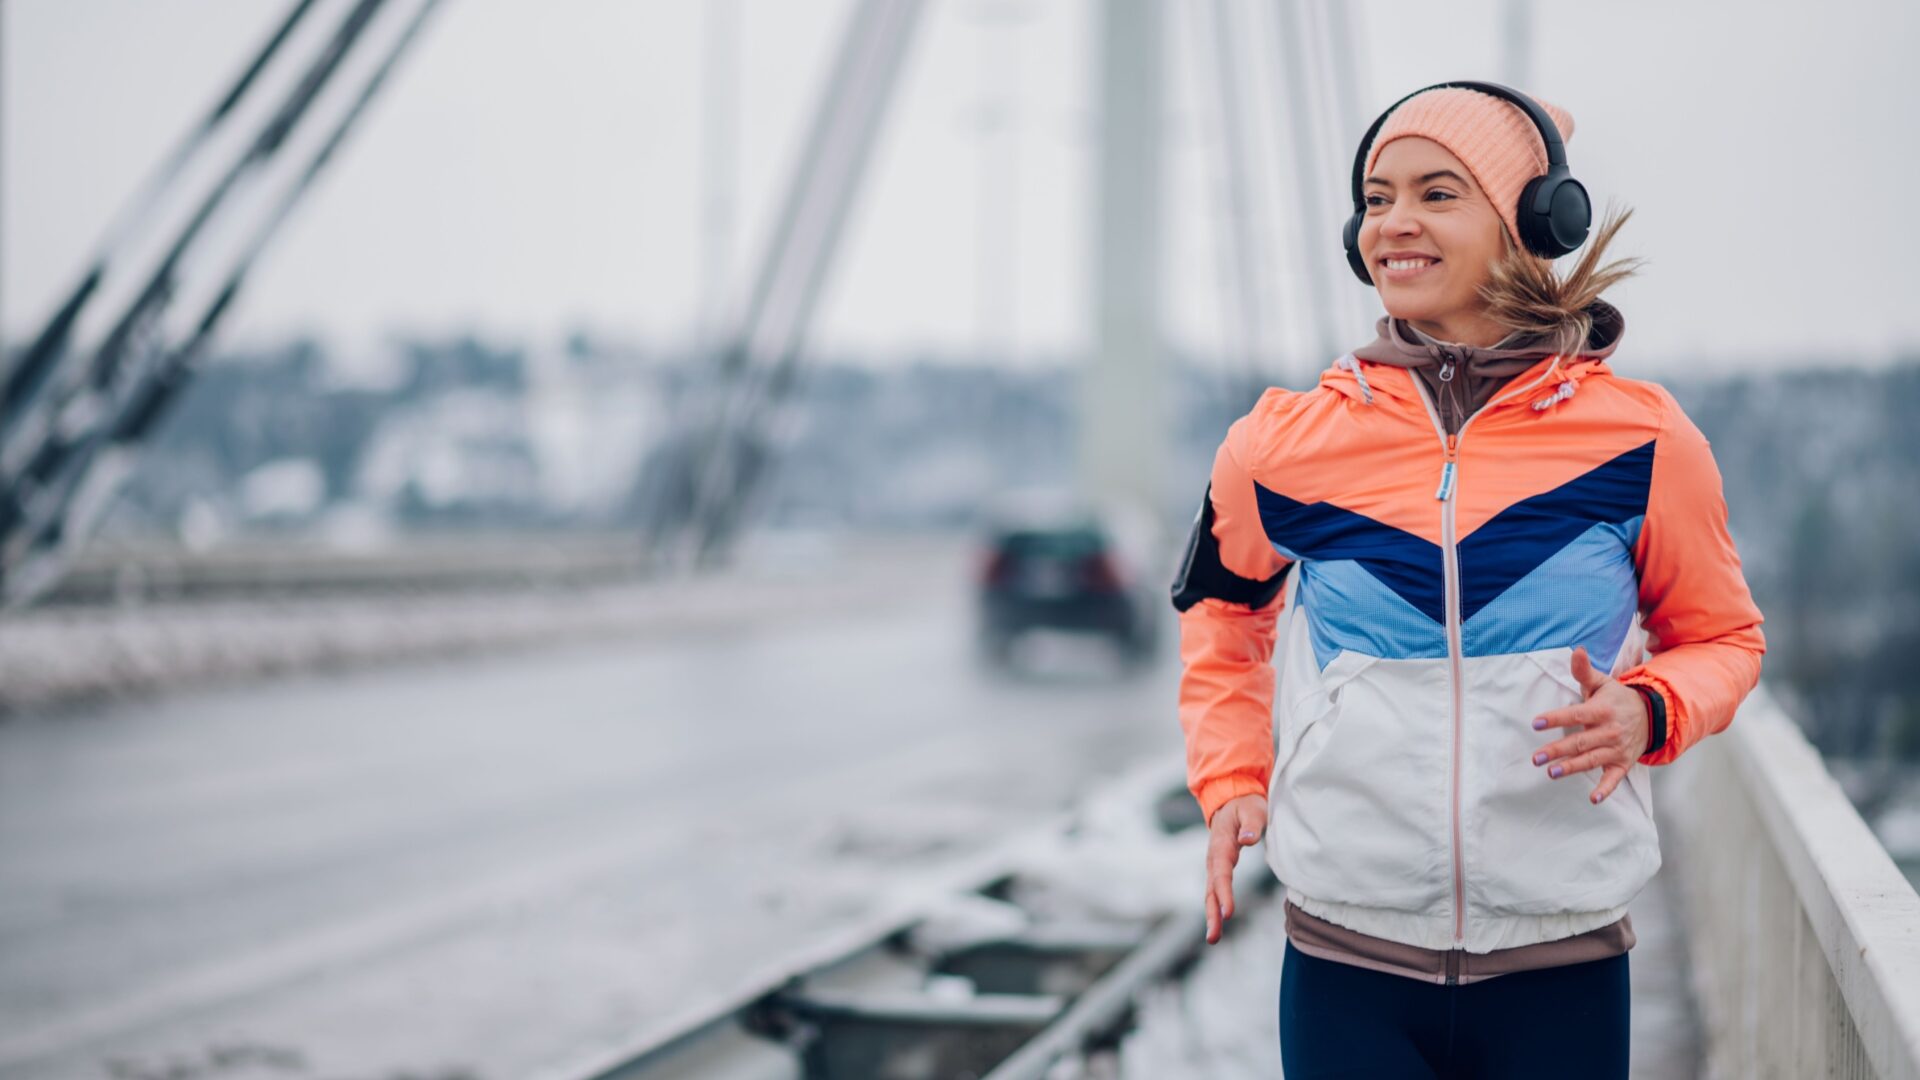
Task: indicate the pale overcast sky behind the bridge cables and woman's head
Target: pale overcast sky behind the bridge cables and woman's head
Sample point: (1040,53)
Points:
(537,166)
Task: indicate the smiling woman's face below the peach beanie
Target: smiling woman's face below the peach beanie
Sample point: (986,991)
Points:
(1426,210)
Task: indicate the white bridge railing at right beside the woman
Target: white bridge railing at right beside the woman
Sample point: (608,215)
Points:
(1804,935)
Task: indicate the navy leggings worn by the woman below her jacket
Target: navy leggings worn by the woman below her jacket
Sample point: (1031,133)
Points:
(1349,1021)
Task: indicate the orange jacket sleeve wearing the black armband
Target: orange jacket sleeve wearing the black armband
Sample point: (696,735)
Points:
(1226,697)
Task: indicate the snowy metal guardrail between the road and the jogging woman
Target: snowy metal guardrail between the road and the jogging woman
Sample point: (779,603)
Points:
(1011,985)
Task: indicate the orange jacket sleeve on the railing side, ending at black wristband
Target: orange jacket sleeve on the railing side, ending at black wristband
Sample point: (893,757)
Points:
(1704,629)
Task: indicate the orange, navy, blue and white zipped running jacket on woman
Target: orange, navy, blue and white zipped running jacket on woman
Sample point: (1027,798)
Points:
(1439,587)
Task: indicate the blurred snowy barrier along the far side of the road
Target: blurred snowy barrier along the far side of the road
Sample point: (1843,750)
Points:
(254,610)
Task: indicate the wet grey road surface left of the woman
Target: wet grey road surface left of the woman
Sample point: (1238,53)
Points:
(477,866)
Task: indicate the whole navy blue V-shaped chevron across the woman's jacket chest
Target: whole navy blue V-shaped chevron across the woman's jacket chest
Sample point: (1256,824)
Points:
(1499,554)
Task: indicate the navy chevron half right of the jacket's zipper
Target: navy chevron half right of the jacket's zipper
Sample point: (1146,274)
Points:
(1535,529)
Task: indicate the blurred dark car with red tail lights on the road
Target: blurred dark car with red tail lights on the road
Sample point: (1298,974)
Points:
(1051,564)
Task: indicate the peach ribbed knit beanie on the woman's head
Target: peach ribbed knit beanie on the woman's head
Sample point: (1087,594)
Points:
(1491,135)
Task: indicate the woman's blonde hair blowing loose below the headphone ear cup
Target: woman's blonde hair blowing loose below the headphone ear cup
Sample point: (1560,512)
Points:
(1525,295)
